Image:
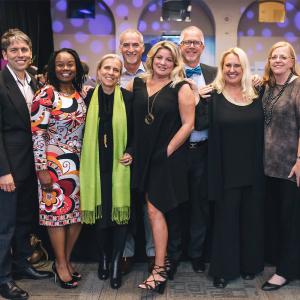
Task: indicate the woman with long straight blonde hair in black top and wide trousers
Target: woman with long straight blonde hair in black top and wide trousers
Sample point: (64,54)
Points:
(236,171)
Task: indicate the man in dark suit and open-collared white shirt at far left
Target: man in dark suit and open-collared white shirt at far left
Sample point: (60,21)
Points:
(18,183)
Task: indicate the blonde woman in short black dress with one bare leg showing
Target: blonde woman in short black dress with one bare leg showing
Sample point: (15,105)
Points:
(163,109)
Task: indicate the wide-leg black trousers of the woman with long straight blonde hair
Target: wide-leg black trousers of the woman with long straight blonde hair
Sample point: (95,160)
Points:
(238,234)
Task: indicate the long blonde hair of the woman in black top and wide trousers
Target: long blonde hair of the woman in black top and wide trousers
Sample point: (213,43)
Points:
(246,83)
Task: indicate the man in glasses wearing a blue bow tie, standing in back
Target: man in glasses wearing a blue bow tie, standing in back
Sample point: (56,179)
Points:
(191,47)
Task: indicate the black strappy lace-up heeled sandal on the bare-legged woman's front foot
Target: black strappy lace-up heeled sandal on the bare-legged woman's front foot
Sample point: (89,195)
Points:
(157,285)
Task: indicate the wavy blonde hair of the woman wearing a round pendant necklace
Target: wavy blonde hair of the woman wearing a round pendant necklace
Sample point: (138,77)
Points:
(177,73)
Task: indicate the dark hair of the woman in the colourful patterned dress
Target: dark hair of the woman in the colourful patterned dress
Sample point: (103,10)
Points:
(79,78)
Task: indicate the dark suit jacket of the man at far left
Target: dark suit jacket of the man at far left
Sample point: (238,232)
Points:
(16,153)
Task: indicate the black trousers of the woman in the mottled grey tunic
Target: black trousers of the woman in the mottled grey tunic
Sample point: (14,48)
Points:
(283,225)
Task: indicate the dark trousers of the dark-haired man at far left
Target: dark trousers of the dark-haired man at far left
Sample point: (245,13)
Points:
(18,214)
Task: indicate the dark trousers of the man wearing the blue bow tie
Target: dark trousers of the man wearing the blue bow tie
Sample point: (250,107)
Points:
(194,213)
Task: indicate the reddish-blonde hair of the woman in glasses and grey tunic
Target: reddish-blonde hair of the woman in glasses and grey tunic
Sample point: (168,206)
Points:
(268,74)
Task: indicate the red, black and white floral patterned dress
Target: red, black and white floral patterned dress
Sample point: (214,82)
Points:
(57,128)
